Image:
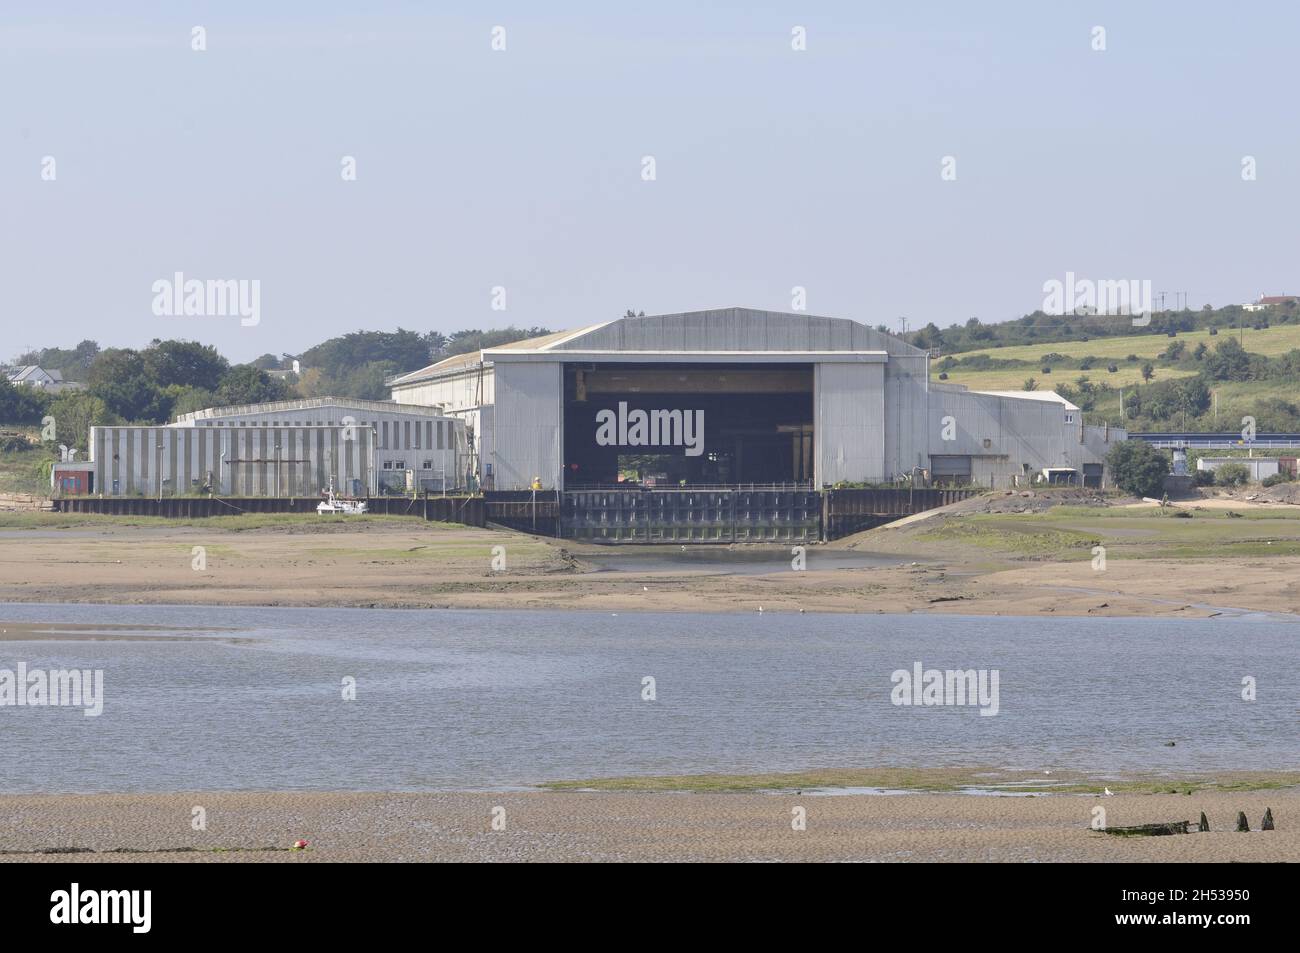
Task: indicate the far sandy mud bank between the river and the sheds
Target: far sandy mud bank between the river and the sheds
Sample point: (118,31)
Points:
(908,568)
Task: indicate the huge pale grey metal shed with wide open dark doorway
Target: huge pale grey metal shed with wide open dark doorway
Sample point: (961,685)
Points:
(782,398)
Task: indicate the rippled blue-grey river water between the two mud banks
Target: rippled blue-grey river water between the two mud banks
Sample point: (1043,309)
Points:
(479,700)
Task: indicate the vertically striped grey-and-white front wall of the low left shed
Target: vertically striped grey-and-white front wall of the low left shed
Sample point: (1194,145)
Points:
(242,462)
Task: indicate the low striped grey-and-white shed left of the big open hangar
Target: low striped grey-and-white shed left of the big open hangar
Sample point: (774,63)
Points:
(284,449)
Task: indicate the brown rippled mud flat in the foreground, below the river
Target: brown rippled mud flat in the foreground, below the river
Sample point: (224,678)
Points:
(586,828)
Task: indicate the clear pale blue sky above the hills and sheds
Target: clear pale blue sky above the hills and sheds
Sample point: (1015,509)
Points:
(523,168)
